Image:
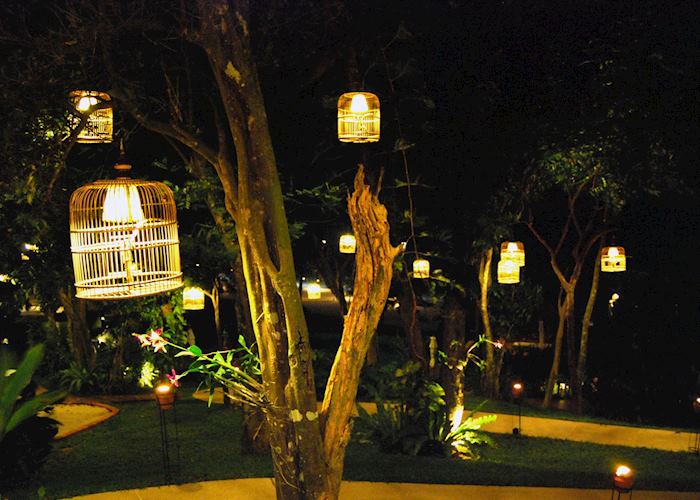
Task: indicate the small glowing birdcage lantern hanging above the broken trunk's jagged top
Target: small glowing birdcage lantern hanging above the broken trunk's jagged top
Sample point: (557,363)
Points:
(358,117)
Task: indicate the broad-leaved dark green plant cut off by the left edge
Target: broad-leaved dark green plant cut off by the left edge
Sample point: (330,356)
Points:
(24,436)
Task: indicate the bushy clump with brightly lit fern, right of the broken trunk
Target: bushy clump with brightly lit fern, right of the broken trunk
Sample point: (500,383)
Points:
(417,423)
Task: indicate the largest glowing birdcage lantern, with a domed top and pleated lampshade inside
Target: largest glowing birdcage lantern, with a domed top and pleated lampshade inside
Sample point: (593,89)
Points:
(124,239)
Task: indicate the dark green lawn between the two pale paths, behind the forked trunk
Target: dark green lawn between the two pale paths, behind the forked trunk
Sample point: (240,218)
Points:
(124,452)
